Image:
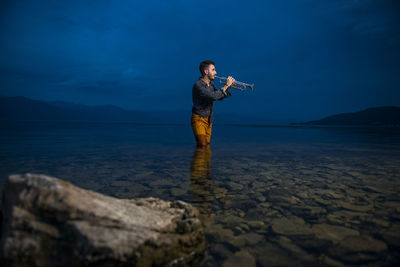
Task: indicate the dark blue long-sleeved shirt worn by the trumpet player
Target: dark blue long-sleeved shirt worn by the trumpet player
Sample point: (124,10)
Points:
(204,96)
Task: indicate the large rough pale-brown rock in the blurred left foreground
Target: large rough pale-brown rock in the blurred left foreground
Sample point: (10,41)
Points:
(50,222)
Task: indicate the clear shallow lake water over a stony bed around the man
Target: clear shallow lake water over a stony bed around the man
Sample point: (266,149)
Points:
(268,196)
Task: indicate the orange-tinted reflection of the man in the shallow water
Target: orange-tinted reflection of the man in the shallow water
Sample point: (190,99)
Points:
(201,183)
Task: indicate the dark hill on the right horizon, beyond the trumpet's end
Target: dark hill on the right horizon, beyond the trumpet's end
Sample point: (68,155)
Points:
(379,116)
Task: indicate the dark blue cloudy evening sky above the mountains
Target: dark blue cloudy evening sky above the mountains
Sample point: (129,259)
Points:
(307,58)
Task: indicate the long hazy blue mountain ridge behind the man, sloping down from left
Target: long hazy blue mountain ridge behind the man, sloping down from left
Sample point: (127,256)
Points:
(21,108)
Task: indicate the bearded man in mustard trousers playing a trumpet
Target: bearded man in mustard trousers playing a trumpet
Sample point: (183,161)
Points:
(204,93)
